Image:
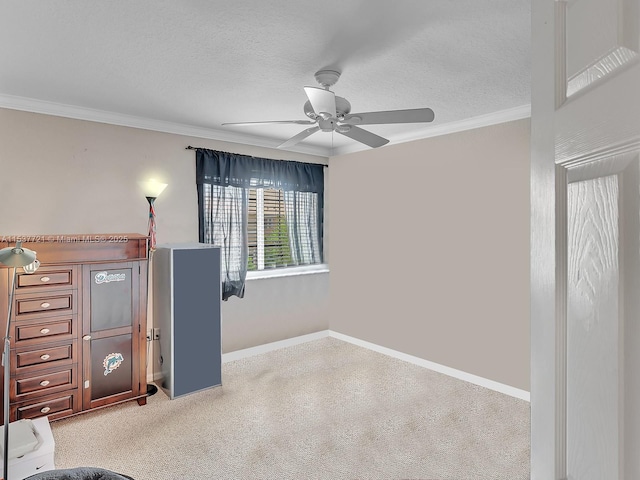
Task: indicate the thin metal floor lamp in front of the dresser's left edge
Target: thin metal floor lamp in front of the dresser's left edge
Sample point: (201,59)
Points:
(12,257)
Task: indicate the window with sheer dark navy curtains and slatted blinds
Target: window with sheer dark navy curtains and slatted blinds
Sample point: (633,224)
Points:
(262,213)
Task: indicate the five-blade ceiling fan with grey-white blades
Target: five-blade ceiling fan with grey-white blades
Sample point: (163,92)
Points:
(331,113)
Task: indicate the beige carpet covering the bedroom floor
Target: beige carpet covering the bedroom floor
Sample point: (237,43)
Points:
(321,410)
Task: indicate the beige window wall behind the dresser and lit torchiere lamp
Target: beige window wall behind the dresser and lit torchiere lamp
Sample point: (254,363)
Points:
(81,177)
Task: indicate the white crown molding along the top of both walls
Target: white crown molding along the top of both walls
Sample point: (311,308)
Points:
(113,118)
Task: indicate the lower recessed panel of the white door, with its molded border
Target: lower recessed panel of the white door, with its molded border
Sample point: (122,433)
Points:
(602,307)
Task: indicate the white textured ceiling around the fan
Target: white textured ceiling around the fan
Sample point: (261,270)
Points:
(199,63)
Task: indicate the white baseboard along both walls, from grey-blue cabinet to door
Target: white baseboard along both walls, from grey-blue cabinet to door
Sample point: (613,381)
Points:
(436,367)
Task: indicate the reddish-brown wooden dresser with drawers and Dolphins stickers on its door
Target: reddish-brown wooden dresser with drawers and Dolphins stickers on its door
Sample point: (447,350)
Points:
(78,328)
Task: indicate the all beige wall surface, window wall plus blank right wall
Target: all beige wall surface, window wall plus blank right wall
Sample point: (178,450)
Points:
(457,292)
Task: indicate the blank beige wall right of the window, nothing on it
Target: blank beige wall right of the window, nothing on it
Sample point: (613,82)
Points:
(430,249)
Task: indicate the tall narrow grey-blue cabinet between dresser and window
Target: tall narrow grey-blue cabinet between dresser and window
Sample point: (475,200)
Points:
(186,310)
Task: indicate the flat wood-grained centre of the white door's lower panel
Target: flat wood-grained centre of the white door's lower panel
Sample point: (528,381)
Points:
(592,329)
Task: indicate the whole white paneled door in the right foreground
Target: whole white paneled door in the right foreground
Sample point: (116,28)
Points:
(585,240)
